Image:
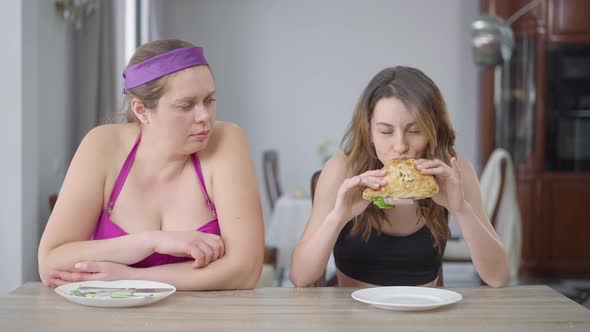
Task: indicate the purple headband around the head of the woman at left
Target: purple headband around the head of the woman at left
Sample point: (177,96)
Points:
(162,65)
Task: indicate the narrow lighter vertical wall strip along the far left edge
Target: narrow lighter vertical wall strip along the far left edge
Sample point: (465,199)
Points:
(11,146)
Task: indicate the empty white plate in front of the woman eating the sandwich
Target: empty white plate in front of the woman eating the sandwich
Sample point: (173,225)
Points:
(405,298)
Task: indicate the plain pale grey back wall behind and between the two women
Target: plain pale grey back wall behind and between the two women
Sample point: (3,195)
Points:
(290,72)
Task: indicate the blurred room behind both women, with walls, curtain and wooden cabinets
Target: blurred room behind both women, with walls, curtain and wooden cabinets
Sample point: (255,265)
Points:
(516,83)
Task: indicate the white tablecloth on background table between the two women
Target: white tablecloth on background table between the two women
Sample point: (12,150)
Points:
(285,227)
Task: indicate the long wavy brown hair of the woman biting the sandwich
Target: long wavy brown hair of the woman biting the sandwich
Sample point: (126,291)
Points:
(423,98)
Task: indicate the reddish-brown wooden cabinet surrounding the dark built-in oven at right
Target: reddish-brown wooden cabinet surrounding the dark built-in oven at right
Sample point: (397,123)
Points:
(555,204)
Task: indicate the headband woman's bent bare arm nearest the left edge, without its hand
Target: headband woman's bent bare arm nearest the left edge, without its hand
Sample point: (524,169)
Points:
(65,240)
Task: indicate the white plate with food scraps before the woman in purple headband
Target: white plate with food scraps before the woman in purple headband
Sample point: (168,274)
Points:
(118,293)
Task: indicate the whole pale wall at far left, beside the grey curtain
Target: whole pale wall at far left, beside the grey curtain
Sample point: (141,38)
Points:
(32,131)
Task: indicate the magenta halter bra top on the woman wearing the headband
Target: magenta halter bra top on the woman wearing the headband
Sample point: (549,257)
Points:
(107,229)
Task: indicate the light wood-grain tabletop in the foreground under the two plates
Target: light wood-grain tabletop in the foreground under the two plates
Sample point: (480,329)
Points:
(34,307)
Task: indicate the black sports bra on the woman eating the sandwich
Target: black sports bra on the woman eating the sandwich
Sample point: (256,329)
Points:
(387,260)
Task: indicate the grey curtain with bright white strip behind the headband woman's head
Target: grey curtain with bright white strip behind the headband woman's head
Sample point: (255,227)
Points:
(99,59)
